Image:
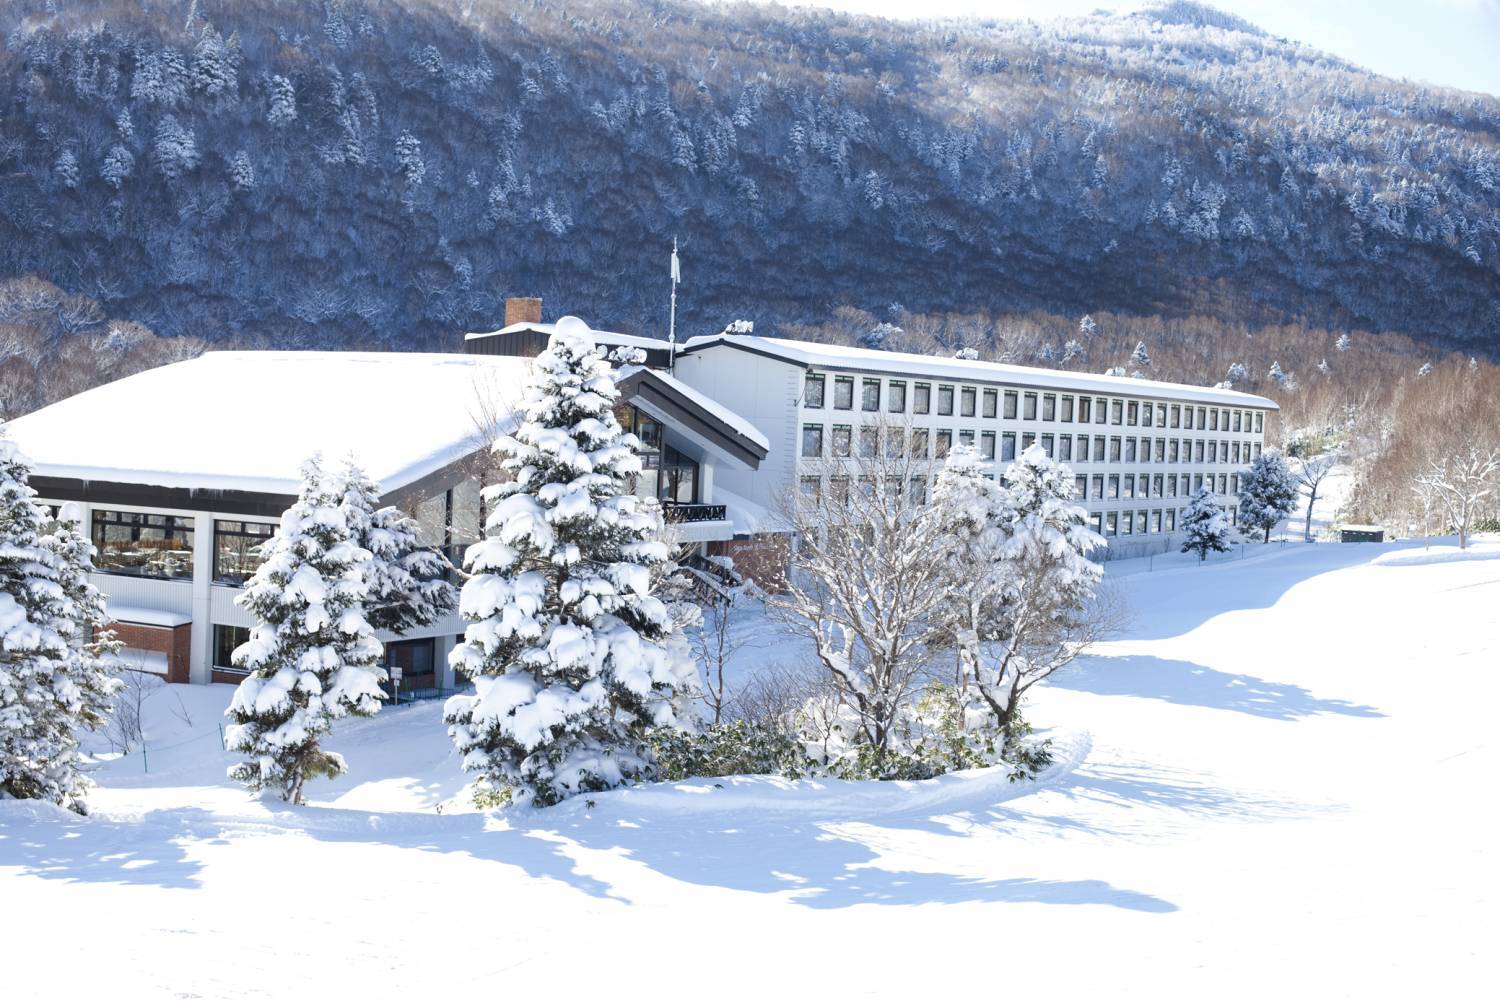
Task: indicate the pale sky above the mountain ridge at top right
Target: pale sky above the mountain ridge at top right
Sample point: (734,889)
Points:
(1451,43)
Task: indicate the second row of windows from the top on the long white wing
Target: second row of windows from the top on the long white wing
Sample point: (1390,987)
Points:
(922,443)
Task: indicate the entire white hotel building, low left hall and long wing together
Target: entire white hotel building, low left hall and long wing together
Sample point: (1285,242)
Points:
(182,485)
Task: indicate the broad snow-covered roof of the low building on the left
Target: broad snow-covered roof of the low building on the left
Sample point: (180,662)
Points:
(247,421)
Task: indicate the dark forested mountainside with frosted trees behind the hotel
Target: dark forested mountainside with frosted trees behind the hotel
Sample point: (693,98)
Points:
(386,173)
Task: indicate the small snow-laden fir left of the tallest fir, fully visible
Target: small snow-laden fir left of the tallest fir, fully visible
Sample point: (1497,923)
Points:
(313,656)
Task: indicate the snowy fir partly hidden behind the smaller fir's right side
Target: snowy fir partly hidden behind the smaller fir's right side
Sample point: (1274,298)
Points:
(406,581)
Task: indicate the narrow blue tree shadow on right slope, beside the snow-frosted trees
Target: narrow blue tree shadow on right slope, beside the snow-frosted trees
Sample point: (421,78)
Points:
(1183,683)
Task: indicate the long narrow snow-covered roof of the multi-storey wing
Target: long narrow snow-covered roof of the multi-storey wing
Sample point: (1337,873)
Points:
(835,356)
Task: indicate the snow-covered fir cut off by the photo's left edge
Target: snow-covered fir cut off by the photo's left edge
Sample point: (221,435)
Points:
(56,671)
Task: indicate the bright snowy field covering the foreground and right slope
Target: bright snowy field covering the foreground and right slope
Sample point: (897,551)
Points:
(1282,782)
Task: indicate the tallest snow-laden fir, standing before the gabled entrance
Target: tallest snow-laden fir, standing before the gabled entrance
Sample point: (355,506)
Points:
(572,656)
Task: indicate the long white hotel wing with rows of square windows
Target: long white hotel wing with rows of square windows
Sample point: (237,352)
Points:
(1138,449)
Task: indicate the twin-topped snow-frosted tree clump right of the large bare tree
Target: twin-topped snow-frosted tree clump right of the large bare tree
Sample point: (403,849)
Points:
(1022,587)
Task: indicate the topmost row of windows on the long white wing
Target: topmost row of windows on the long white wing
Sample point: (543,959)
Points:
(1024,406)
